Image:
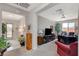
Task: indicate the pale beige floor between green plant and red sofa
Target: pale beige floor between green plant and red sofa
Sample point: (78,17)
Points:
(48,49)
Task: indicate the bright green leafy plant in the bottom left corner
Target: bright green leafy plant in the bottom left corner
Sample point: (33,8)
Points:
(3,45)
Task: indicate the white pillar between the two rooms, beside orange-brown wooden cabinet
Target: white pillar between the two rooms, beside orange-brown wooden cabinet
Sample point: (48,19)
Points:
(33,22)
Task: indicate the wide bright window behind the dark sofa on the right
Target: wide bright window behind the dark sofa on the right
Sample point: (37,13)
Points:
(68,27)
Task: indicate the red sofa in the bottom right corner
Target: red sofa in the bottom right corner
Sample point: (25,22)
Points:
(67,50)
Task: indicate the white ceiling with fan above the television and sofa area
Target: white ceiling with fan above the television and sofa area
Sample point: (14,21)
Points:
(70,12)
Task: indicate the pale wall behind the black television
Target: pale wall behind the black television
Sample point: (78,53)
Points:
(44,23)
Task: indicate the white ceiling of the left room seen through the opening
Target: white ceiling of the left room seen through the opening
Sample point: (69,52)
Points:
(11,16)
